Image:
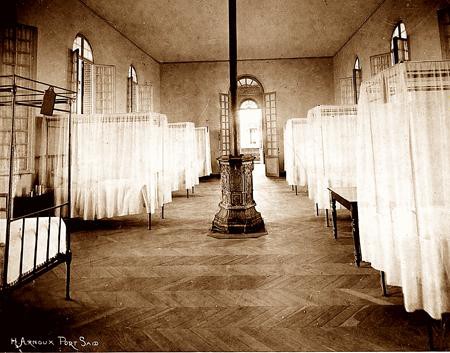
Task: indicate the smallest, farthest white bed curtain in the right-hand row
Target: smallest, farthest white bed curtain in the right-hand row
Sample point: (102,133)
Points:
(295,152)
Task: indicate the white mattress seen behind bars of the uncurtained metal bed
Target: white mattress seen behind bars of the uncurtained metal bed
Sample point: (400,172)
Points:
(29,244)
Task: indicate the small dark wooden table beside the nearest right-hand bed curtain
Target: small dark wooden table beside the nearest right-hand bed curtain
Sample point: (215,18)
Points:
(347,198)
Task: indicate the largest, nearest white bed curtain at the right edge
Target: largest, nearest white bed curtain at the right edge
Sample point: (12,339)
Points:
(404,180)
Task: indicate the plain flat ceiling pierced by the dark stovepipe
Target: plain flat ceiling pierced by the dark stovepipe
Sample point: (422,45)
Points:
(197,30)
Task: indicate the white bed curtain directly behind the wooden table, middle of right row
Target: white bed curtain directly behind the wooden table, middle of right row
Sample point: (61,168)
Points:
(331,150)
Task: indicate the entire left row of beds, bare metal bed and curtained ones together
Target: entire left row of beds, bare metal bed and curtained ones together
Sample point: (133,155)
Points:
(95,166)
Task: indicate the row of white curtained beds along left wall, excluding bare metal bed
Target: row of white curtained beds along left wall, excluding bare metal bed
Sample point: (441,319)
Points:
(139,160)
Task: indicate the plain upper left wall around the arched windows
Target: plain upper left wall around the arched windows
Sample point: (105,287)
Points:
(59,21)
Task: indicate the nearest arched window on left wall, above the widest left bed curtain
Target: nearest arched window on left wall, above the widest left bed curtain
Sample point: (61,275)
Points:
(84,57)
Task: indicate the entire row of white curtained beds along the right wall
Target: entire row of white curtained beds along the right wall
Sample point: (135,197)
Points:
(393,147)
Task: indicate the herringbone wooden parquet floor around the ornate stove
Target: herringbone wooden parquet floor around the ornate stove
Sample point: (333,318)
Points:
(176,289)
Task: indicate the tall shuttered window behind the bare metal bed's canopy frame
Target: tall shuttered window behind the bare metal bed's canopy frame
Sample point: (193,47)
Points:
(18,53)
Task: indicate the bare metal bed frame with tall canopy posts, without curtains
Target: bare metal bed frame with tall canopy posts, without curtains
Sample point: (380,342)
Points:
(16,91)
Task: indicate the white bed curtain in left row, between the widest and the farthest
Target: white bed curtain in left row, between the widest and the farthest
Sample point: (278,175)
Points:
(181,146)
